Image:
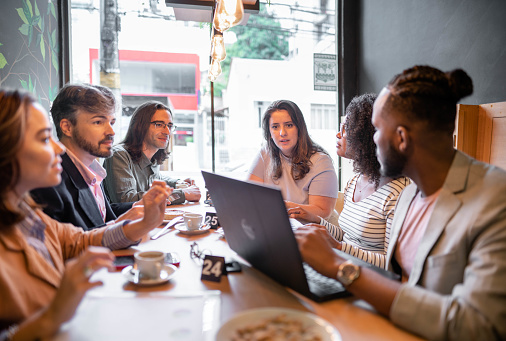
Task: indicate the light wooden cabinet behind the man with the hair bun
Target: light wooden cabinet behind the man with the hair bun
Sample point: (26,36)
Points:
(480,131)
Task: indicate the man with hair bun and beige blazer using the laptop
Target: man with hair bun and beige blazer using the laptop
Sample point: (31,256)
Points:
(448,236)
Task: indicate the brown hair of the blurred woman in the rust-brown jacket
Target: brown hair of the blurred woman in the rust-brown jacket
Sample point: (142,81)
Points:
(14,107)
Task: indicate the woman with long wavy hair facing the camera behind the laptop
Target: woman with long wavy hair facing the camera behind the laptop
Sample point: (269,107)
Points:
(291,160)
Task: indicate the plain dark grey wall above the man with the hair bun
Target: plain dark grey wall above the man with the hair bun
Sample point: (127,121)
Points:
(469,34)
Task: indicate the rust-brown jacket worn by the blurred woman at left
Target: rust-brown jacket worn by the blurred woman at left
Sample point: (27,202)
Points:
(27,281)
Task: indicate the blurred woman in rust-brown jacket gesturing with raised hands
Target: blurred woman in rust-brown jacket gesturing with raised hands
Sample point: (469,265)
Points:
(38,290)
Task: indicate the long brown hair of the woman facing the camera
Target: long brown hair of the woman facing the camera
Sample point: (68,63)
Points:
(304,149)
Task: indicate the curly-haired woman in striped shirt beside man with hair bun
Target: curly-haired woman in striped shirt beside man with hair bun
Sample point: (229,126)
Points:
(369,197)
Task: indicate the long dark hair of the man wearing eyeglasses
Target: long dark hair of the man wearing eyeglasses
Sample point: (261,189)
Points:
(138,129)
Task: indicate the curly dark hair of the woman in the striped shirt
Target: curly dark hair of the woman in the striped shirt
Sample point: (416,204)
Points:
(359,137)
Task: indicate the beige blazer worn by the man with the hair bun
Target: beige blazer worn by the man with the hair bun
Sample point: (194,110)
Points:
(457,287)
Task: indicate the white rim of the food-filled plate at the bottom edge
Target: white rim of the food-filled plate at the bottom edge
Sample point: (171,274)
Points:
(249,317)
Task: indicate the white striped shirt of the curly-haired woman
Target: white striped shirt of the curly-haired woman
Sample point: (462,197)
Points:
(364,226)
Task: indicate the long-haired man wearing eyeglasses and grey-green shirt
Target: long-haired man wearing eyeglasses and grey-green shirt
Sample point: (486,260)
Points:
(135,163)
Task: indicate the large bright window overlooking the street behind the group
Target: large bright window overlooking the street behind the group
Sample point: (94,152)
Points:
(270,57)
